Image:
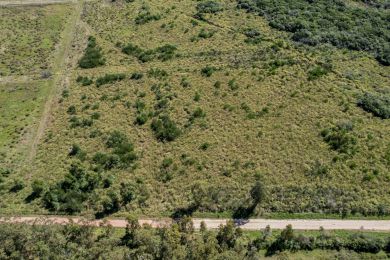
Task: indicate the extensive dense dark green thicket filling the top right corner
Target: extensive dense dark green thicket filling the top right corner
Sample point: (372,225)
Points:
(323,21)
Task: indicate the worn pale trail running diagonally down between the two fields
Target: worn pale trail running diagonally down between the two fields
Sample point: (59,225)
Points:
(61,77)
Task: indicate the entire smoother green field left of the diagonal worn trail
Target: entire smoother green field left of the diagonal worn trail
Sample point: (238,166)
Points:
(28,38)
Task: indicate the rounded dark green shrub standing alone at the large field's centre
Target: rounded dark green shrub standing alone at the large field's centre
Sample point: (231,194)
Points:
(165,129)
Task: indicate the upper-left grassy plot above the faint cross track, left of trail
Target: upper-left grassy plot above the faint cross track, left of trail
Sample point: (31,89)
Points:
(28,37)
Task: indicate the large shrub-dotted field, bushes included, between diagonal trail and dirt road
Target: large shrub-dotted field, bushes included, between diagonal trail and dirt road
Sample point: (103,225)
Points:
(182,106)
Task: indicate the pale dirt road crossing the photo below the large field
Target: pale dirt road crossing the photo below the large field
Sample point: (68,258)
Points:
(252,224)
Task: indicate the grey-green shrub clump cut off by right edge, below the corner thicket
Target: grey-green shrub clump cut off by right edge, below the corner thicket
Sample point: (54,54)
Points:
(375,103)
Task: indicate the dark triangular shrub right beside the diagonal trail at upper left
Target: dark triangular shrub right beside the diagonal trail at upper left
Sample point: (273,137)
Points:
(92,57)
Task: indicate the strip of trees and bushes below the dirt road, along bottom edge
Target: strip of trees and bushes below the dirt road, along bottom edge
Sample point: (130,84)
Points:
(181,241)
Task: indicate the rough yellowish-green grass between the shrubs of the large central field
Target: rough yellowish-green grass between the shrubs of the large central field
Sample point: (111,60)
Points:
(263,118)
